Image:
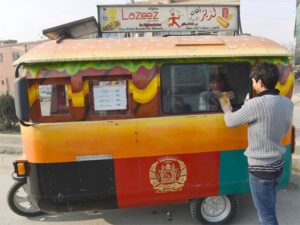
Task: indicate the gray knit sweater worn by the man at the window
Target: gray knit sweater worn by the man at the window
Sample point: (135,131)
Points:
(268,118)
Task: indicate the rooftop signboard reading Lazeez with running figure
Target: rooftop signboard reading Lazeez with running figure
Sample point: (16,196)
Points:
(167,18)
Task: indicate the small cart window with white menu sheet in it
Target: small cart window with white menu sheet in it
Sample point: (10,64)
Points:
(109,97)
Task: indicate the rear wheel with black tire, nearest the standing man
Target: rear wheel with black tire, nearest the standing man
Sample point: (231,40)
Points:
(213,210)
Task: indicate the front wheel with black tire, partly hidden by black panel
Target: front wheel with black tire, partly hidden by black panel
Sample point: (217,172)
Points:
(18,201)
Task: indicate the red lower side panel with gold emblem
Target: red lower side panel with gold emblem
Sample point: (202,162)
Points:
(166,179)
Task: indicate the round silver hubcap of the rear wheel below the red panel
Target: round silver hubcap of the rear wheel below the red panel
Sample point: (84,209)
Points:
(215,209)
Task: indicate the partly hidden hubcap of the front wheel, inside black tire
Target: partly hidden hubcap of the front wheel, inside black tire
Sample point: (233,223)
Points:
(21,201)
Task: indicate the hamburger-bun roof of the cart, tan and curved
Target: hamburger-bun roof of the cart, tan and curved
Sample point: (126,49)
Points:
(152,48)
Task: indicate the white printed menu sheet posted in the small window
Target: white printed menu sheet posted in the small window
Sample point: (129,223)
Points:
(110,95)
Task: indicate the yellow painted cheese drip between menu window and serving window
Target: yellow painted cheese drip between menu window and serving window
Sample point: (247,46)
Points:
(147,94)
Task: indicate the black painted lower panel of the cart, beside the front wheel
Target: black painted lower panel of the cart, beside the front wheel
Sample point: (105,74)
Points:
(72,186)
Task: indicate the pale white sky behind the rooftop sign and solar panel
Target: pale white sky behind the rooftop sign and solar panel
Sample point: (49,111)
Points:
(24,20)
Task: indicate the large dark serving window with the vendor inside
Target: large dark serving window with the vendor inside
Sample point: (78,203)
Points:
(191,88)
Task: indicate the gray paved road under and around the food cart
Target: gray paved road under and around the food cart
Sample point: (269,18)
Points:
(288,210)
